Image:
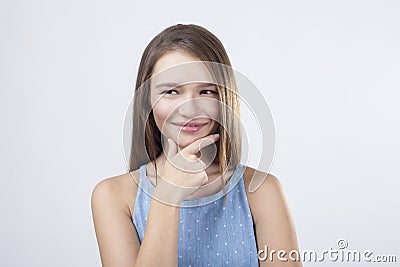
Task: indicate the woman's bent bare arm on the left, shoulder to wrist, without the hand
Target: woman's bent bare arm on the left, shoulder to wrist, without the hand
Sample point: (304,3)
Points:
(116,235)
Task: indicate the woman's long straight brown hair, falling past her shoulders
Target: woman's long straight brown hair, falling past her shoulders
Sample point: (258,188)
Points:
(201,43)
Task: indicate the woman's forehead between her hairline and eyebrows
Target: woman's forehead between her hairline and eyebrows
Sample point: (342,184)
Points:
(180,67)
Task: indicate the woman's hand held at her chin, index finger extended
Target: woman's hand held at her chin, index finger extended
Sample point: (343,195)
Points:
(183,172)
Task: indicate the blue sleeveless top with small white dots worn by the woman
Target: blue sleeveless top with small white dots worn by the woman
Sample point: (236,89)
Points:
(211,233)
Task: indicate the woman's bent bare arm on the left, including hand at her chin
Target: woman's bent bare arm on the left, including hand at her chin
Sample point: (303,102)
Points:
(116,235)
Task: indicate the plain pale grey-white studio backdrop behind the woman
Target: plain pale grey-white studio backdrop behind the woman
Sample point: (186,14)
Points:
(329,70)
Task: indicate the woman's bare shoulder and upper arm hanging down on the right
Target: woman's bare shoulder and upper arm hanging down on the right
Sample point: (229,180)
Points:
(273,223)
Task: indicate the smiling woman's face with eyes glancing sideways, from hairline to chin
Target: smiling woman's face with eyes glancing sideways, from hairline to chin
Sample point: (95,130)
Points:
(185,106)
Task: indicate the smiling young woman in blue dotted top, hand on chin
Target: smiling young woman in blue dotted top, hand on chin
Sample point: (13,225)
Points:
(188,203)
